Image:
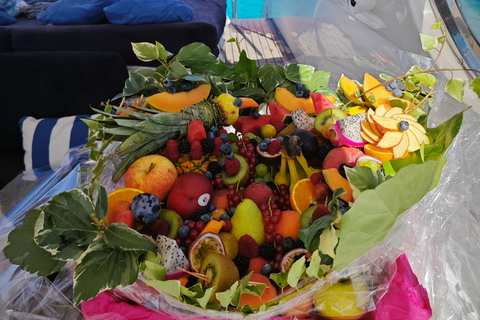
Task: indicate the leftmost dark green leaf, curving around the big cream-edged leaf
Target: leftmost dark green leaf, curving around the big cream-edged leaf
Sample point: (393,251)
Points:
(21,249)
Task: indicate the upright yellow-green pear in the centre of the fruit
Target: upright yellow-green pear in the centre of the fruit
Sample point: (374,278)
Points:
(248,220)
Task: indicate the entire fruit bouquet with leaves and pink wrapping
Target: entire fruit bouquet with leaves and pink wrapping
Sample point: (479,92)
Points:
(223,192)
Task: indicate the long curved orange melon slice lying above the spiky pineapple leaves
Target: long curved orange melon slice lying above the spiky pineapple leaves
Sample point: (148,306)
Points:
(174,102)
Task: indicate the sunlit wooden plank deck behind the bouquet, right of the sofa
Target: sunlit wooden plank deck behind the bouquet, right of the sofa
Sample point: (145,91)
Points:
(261,40)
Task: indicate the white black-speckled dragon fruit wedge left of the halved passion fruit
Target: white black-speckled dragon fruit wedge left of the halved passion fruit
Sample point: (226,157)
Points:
(172,257)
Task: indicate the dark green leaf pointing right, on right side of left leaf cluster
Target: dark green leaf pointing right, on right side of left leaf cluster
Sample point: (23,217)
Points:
(119,236)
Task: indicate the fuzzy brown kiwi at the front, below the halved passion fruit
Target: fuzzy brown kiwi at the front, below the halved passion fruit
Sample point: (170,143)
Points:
(221,272)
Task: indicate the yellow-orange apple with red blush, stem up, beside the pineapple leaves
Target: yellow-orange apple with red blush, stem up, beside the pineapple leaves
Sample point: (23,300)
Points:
(153,174)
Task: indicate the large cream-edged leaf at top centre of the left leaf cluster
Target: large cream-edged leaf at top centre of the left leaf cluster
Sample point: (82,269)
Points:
(64,227)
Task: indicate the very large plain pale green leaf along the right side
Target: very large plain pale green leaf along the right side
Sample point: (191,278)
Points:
(375,211)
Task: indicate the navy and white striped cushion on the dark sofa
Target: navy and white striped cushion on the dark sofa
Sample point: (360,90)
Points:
(47,141)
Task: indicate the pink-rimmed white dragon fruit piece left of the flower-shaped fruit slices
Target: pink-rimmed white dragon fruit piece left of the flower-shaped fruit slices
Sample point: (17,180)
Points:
(346,131)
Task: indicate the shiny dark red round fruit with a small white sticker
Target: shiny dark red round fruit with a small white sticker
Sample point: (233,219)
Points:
(191,192)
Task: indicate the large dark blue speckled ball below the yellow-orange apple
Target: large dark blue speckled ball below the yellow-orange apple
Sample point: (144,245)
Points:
(145,208)
